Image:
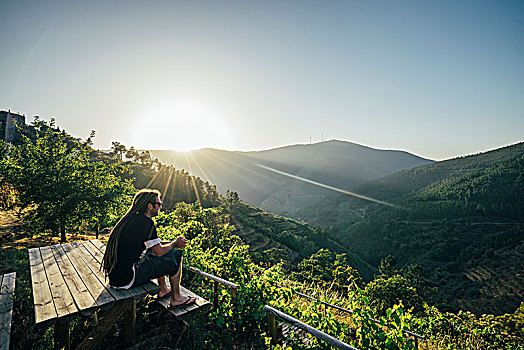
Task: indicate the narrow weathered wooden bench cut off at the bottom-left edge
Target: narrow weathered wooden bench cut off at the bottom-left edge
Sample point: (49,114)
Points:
(7,289)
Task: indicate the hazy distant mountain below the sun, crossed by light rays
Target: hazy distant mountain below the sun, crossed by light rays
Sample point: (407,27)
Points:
(335,163)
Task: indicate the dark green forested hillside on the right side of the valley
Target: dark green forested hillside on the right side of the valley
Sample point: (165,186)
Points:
(462,220)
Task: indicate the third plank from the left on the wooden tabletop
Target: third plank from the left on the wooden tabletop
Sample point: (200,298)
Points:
(83,299)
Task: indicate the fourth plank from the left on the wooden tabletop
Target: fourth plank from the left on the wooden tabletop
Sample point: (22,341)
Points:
(95,286)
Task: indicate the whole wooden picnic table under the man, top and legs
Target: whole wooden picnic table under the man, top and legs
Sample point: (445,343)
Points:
(67,282)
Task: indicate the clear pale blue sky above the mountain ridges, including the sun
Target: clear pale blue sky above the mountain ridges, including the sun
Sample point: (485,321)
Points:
(435,78)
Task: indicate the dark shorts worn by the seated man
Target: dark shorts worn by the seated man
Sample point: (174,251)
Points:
(151,266)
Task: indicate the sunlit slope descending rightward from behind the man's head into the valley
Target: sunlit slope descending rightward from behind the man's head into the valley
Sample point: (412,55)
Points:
(271,238)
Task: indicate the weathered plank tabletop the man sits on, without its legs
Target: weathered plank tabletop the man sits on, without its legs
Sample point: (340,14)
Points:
(67,281)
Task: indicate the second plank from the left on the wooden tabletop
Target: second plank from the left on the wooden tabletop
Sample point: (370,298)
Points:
(64,302)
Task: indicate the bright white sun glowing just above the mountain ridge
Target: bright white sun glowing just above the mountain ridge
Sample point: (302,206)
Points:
(181,126)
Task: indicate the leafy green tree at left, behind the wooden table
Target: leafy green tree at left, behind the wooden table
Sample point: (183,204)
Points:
(59,185)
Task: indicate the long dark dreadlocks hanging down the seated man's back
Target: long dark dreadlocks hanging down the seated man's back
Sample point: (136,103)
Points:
(140,201)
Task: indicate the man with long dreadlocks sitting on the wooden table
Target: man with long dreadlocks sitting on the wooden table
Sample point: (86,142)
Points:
(135,232)
